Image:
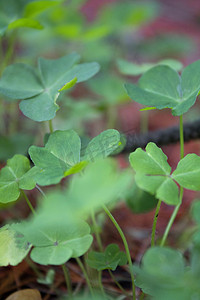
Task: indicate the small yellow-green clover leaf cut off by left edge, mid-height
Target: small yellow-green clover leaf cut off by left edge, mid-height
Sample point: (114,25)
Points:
(14,176)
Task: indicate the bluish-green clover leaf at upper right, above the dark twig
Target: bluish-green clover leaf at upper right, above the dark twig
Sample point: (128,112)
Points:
(162,87)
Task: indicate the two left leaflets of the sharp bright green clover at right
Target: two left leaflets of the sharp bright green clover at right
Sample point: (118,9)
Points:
(153,173)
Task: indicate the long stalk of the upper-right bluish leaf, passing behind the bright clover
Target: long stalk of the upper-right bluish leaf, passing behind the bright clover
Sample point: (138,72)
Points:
(174,214)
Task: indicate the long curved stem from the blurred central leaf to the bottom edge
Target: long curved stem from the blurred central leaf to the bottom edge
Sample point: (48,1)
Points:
(125,246)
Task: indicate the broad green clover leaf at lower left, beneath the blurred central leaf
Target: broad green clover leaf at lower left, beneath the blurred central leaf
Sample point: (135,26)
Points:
(55,237)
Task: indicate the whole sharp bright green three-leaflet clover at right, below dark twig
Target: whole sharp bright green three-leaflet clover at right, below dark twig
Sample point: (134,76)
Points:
(153,173)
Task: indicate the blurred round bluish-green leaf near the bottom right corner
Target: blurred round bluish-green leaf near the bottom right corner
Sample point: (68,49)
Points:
(156,274)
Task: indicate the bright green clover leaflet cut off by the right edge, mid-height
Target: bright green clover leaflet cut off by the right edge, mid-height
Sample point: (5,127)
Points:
(187,173)
